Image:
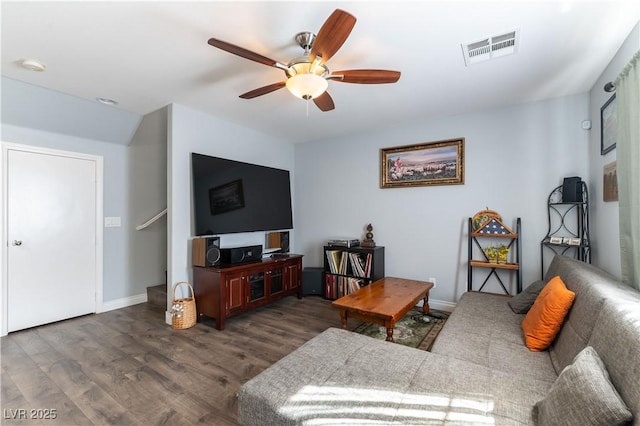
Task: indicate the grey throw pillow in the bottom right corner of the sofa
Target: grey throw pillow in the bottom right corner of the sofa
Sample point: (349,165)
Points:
(583,395)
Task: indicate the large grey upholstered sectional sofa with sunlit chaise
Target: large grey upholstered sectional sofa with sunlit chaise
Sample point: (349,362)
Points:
(478,371)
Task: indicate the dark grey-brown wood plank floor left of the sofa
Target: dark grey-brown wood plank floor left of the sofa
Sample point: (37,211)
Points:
(128,367)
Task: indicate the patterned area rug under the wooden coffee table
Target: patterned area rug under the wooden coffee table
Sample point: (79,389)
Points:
(414,329)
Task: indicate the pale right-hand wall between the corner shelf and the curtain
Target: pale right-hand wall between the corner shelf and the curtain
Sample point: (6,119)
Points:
(605,235)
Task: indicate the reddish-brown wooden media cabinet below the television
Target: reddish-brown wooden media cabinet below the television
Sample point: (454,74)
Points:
(222,292)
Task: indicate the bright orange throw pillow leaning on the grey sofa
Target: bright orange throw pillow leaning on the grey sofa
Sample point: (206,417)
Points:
(543,321)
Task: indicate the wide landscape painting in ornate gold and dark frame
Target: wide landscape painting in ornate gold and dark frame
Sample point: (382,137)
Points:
(432,163)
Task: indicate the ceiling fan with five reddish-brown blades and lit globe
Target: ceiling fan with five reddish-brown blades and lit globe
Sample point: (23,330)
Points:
(307,76)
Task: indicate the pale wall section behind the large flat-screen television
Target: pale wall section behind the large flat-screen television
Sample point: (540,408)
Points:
(193,131)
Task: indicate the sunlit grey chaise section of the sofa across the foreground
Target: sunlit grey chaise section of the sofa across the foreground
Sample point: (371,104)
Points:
(340,377)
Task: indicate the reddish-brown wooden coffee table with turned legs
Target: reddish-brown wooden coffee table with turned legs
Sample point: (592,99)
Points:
(384,302)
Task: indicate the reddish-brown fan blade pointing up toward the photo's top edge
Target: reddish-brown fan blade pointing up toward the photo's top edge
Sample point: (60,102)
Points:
(332,35)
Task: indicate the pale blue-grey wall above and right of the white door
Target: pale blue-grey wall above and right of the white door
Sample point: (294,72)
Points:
(116,284)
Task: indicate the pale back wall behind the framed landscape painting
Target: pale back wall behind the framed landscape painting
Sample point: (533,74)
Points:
(514,157)
